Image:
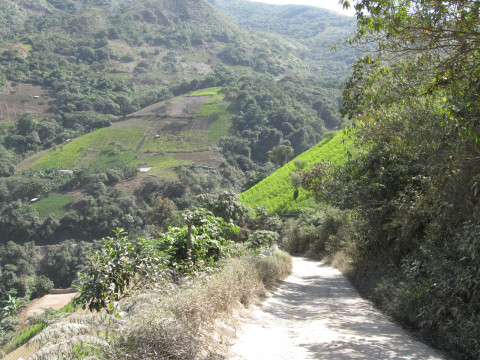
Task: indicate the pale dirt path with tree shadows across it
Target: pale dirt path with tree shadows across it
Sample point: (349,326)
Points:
(317,314)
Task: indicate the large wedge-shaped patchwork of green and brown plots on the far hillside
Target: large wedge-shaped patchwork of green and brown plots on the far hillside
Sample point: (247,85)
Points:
(182,130)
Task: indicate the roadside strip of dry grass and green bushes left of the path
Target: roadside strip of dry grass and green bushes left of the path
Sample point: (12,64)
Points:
(186,277)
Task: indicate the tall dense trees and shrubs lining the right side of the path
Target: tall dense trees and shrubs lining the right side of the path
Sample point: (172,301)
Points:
(406,217)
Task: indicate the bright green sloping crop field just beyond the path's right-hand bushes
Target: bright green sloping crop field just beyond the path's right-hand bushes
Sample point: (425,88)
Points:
(276,191)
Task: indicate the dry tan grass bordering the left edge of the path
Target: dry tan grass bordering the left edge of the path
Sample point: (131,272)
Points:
(189,321)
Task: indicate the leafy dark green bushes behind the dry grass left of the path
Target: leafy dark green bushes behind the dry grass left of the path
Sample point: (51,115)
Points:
(125,264)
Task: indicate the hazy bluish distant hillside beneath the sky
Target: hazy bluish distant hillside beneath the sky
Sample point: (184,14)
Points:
(315,28)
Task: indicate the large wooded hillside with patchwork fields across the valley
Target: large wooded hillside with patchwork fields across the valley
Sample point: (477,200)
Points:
(82,87)
